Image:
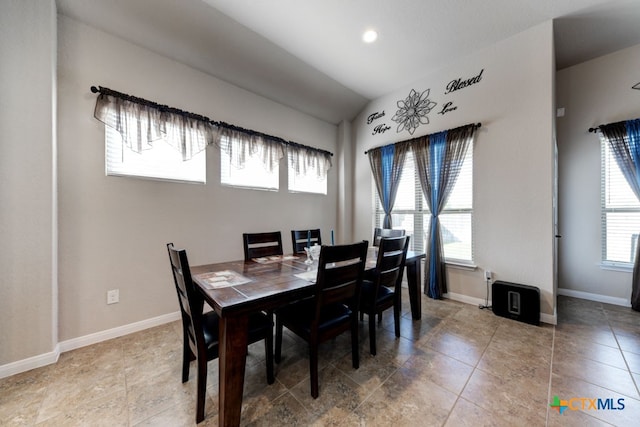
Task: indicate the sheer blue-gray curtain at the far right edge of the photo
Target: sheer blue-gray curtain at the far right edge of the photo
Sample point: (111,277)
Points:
(624,141)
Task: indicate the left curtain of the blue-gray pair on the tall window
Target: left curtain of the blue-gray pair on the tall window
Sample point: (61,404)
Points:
(386,165)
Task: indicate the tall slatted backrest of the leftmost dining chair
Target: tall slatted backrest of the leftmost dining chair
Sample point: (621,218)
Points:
(191,303)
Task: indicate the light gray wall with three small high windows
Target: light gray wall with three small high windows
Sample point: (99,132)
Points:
(113,230)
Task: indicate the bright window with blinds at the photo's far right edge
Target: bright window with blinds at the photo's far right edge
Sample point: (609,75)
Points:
(620,213)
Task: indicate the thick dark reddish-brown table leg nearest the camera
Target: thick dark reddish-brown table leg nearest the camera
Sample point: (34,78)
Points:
(232,360)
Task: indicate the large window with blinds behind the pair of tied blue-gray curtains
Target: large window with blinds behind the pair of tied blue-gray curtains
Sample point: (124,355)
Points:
(411,212)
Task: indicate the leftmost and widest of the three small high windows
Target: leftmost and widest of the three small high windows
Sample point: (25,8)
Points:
(157,161)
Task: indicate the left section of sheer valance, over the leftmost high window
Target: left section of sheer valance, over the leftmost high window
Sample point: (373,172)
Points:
(141,125)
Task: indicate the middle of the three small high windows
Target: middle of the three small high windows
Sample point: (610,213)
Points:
(253,172)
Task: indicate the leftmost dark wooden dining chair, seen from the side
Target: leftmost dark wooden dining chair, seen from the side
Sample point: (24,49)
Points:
(200,330)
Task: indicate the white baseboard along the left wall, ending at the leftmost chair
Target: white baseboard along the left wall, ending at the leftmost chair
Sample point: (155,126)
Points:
(41,360)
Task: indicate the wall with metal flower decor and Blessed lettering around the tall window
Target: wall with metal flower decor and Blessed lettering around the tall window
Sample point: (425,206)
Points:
(513,160)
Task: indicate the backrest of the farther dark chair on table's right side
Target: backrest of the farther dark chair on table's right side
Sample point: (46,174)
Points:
(392,254)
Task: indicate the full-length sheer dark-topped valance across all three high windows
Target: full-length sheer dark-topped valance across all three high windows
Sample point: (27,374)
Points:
(140,122)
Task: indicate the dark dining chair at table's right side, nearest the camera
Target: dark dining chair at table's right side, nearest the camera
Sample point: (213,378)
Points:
(332,310)
